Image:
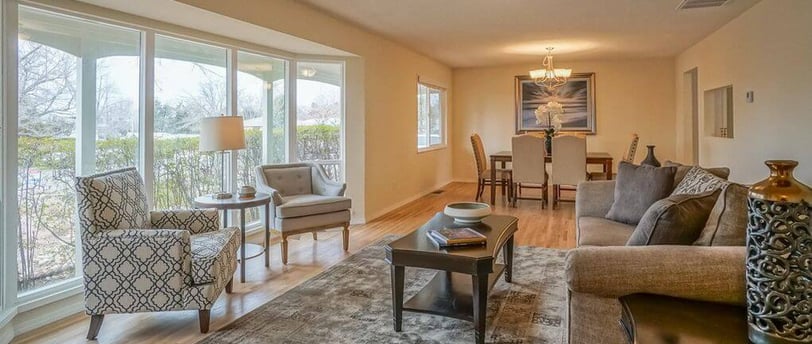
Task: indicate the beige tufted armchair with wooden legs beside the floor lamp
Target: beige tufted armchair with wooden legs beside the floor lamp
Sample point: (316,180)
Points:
(304,200)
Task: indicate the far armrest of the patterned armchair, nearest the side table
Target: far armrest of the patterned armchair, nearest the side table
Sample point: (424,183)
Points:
(195,221)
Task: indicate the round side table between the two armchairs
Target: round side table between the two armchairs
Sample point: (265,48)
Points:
(235,202)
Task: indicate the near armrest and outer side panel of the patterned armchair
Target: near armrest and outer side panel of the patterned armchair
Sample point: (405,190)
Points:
(150,266)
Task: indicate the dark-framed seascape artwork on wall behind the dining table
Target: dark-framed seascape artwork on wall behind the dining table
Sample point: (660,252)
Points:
(577,97)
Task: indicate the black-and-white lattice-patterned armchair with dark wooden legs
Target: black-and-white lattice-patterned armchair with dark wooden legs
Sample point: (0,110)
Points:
(136,260)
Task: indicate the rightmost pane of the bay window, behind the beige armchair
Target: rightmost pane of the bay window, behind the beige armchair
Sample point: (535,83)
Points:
(319,113)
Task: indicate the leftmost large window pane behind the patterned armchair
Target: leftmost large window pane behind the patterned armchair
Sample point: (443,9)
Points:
(78,114)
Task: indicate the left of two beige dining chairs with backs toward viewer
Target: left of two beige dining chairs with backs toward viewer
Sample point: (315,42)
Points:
(528,166)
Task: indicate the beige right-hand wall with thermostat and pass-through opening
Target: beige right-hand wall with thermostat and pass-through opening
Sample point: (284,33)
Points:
(767,50)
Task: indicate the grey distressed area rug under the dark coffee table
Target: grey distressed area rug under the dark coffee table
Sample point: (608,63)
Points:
(351,303)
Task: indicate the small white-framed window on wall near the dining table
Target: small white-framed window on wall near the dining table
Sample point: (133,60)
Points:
(430,117)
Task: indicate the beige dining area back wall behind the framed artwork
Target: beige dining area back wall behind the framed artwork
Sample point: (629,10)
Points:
(632,96)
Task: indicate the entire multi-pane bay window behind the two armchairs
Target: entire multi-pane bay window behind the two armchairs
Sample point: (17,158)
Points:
(93,97)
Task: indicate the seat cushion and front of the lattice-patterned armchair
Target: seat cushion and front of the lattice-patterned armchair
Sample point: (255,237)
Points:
(212,252)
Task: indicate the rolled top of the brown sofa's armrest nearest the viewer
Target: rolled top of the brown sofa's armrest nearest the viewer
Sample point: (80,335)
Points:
(701,273)
